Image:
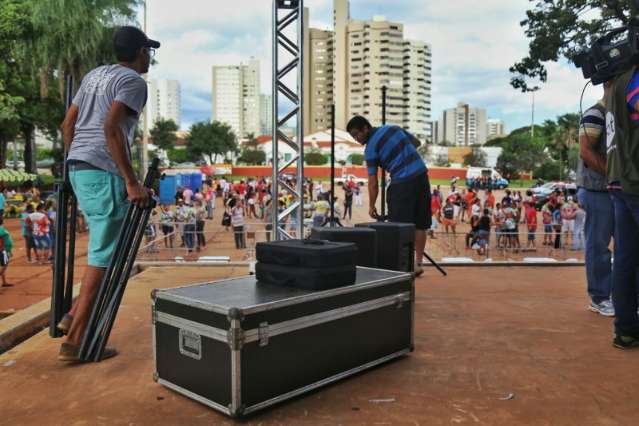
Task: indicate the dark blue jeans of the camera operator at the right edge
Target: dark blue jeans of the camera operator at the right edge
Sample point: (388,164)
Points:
(624,271)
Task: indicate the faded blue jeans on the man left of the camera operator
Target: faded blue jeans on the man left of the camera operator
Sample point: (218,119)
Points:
(598,231)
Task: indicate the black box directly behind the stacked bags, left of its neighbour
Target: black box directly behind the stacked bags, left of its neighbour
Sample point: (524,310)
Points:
(364,238)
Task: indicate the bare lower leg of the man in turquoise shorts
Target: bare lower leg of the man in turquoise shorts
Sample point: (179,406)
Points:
(82,308)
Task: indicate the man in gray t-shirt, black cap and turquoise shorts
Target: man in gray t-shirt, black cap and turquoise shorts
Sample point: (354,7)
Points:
(98,132)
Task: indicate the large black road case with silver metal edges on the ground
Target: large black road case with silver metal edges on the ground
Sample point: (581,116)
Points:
(240,345)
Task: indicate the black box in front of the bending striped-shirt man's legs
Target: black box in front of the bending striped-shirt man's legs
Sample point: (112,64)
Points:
(395,245)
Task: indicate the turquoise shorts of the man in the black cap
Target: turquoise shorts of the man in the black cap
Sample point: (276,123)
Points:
(103,200)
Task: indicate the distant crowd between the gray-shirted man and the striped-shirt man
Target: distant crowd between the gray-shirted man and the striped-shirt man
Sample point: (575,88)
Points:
(245,202)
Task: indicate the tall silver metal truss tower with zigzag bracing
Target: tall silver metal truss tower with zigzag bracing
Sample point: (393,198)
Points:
(288,101)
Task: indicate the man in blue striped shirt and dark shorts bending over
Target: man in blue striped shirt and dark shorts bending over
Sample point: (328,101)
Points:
(395,151)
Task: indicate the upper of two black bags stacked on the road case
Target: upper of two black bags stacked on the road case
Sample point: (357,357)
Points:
(306,253)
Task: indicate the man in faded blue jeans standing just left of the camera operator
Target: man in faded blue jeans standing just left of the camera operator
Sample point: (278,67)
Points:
(595,199)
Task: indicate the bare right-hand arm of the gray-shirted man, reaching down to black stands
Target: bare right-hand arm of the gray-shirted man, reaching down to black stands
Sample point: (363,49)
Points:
(116,143)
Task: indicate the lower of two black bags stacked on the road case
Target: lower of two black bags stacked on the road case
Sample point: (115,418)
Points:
(304,277)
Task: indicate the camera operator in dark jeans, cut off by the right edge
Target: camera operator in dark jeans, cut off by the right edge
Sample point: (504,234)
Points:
(622,173)
